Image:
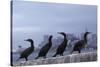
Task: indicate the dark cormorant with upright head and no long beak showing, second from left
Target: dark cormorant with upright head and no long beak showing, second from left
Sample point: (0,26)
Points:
(44,50)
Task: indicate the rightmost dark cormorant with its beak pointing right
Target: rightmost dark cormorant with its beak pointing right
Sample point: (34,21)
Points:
(80,44)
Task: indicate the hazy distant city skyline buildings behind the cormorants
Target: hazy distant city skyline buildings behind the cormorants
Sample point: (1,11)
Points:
(72,39)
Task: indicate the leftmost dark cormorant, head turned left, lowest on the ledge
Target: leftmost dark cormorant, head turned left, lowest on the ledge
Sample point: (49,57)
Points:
(27,51)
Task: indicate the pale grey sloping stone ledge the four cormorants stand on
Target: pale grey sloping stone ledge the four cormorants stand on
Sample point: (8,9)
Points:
(82,57)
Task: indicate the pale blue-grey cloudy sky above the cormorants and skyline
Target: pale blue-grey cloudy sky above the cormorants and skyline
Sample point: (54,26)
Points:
(35,19)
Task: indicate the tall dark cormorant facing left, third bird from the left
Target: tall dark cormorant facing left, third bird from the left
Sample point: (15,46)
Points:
(62,46)
